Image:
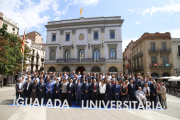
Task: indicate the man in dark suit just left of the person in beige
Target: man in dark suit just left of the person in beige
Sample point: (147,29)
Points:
(153,89)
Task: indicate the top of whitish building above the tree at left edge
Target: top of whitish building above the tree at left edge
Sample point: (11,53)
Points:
(12,27)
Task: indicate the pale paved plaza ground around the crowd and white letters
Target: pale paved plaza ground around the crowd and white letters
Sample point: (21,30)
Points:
(7,112)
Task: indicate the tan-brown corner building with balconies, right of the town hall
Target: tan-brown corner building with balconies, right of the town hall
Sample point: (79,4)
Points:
(151,54)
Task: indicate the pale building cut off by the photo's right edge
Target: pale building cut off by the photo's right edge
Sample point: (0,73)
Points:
(176,55)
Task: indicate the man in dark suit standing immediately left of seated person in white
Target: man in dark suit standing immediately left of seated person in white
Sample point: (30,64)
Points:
(132,91)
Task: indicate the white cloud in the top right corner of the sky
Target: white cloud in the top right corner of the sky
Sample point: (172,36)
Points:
(172,7)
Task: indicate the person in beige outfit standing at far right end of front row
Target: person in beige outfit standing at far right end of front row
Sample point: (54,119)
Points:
(162,92)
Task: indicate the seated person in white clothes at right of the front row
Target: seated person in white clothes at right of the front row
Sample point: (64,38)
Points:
(141,96)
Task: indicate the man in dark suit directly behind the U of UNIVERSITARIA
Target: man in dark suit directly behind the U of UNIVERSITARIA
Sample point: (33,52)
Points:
(86,90)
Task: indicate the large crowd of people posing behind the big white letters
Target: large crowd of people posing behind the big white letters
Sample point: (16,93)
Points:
(90,86)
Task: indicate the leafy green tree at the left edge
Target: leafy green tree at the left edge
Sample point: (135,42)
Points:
(10,53)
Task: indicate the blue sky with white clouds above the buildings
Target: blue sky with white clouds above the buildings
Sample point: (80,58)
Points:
(139,16)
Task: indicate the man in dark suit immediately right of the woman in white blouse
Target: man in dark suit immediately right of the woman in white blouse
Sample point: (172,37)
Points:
(109,91)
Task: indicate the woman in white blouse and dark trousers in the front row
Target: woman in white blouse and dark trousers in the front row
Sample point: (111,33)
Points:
(102,90)
